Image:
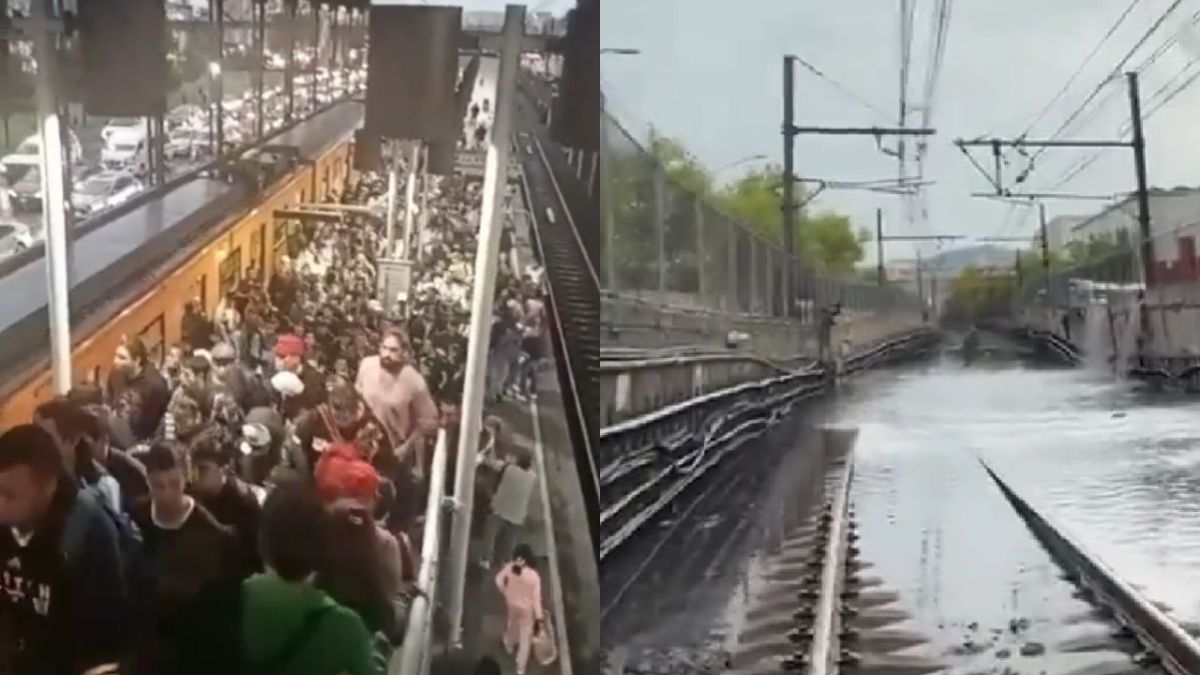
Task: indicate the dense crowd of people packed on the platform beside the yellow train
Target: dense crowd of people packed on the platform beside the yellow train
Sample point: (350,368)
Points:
(251,500)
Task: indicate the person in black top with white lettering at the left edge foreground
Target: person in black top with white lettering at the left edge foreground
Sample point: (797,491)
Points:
(65,606)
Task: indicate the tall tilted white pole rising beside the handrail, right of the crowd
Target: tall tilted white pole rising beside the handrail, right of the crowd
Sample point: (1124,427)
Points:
(487,260)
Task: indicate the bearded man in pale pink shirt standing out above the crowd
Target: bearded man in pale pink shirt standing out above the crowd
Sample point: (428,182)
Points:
(399,397)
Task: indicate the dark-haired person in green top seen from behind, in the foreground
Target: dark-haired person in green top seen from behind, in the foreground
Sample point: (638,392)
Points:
(290,628)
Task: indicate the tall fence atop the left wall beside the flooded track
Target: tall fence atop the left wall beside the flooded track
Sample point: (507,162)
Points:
(670,246)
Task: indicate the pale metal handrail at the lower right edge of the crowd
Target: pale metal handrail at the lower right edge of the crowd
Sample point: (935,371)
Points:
(416,652)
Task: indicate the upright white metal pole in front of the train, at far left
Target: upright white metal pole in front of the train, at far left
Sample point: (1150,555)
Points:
(55,204)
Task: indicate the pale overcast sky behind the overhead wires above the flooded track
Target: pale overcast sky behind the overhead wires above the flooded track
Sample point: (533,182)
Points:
(711,75)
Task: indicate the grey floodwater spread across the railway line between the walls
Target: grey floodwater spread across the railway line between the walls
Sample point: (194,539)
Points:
(958,582)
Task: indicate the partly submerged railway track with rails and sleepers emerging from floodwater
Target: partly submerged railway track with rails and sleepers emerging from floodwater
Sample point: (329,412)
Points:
(824,614)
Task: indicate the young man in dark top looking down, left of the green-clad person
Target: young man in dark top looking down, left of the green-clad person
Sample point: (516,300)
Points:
(195,577)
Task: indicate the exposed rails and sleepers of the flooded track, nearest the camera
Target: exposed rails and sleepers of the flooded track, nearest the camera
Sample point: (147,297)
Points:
(821,611)
